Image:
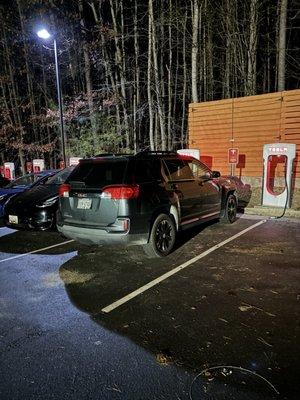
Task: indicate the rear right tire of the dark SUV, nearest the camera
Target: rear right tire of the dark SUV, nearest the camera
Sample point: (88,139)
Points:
(162,237)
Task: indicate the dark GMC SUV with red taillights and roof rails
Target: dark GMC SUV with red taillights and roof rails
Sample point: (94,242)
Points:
(141,199)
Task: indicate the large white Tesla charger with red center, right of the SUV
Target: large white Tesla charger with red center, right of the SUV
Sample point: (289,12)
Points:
(278,171)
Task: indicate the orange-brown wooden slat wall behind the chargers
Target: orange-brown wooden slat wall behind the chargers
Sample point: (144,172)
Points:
(256,120)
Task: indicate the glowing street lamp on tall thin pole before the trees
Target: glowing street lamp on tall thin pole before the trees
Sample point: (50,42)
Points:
(45,35)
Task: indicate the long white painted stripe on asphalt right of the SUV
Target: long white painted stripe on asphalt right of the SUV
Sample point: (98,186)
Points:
(161,278)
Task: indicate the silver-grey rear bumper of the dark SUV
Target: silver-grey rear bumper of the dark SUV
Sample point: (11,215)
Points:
(101,236)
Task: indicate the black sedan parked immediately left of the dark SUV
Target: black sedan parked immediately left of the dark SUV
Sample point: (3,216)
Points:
(36,207)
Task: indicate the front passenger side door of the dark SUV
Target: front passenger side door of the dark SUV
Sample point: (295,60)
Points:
(211,192)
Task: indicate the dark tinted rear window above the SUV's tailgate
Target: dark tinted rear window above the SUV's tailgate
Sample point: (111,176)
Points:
(99,174)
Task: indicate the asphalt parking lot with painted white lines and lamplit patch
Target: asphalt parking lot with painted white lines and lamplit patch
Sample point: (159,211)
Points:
(217,319)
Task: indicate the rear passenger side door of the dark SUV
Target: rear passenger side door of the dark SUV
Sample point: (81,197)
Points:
(184,186)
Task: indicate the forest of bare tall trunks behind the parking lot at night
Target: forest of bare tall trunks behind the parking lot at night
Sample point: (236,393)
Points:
(129,69)
